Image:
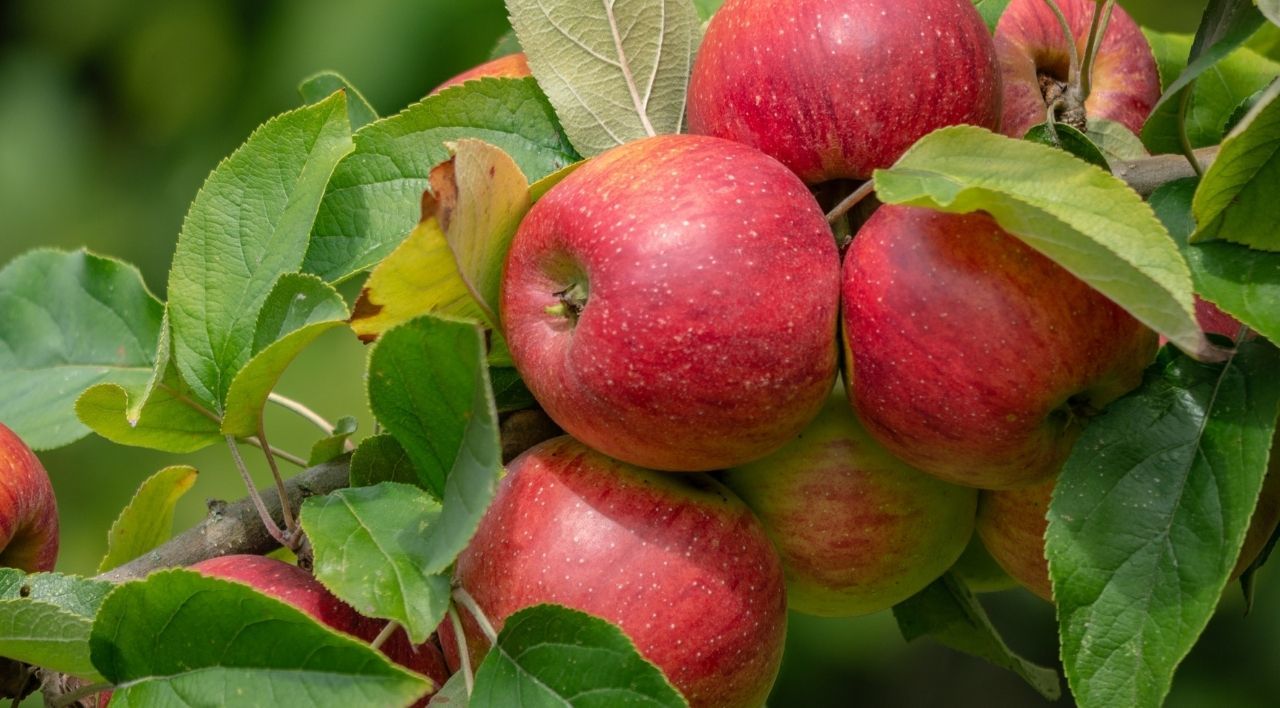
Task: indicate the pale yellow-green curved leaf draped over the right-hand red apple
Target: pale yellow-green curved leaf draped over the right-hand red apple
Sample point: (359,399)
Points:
(1081,217)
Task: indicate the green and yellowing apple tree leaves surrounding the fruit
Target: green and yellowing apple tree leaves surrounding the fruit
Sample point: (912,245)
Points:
(1145,527)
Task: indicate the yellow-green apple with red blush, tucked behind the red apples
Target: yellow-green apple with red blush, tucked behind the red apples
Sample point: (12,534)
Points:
(858,529)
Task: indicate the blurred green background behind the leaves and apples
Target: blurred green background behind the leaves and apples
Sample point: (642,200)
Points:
(113,112)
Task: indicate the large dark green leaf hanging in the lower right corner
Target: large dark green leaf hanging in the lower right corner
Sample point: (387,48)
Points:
(1149,517)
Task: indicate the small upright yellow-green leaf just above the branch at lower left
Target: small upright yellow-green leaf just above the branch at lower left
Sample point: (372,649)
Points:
(148,520)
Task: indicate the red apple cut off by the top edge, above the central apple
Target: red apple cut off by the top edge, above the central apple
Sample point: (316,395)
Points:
(835,89)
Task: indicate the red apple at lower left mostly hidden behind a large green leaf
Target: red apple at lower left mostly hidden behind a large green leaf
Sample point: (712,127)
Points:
(299,588)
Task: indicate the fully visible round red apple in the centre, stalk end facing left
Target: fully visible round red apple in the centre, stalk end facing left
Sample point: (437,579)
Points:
(674,304)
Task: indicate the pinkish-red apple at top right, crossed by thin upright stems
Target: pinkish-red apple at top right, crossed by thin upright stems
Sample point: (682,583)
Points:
(1126,83)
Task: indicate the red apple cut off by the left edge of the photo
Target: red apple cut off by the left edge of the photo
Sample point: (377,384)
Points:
(29,511)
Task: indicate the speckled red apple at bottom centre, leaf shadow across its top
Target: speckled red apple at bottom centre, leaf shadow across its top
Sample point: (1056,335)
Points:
(676,561)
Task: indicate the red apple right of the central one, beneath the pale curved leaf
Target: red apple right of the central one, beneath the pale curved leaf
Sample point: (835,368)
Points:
(971,355)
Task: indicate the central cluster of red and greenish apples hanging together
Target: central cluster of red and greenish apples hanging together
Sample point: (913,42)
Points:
(679,304)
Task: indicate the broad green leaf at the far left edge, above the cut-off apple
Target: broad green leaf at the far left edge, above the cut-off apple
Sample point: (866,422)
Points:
(70,322)
